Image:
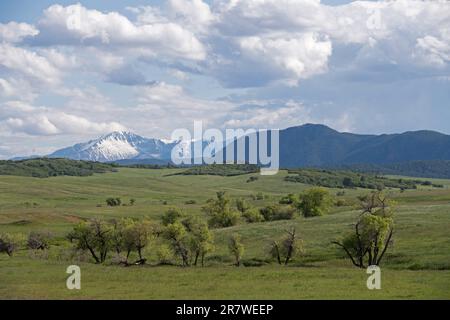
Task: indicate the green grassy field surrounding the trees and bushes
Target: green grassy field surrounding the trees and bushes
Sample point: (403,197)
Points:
(418,266)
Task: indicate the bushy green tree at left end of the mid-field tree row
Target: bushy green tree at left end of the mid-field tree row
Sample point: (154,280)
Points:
(220,213)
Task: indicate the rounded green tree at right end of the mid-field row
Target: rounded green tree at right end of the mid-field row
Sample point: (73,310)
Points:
(314,202)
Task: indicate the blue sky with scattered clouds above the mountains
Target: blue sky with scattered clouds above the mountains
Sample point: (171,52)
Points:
(73,71)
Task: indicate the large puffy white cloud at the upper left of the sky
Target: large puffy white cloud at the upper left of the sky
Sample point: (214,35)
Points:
(77,25)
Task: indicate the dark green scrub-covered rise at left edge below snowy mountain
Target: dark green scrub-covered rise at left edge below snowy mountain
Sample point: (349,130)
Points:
(47,167)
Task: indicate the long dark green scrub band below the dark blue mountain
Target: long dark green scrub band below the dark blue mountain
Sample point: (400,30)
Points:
(348,179)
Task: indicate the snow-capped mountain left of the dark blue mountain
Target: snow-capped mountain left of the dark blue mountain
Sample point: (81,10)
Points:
(118,146)
